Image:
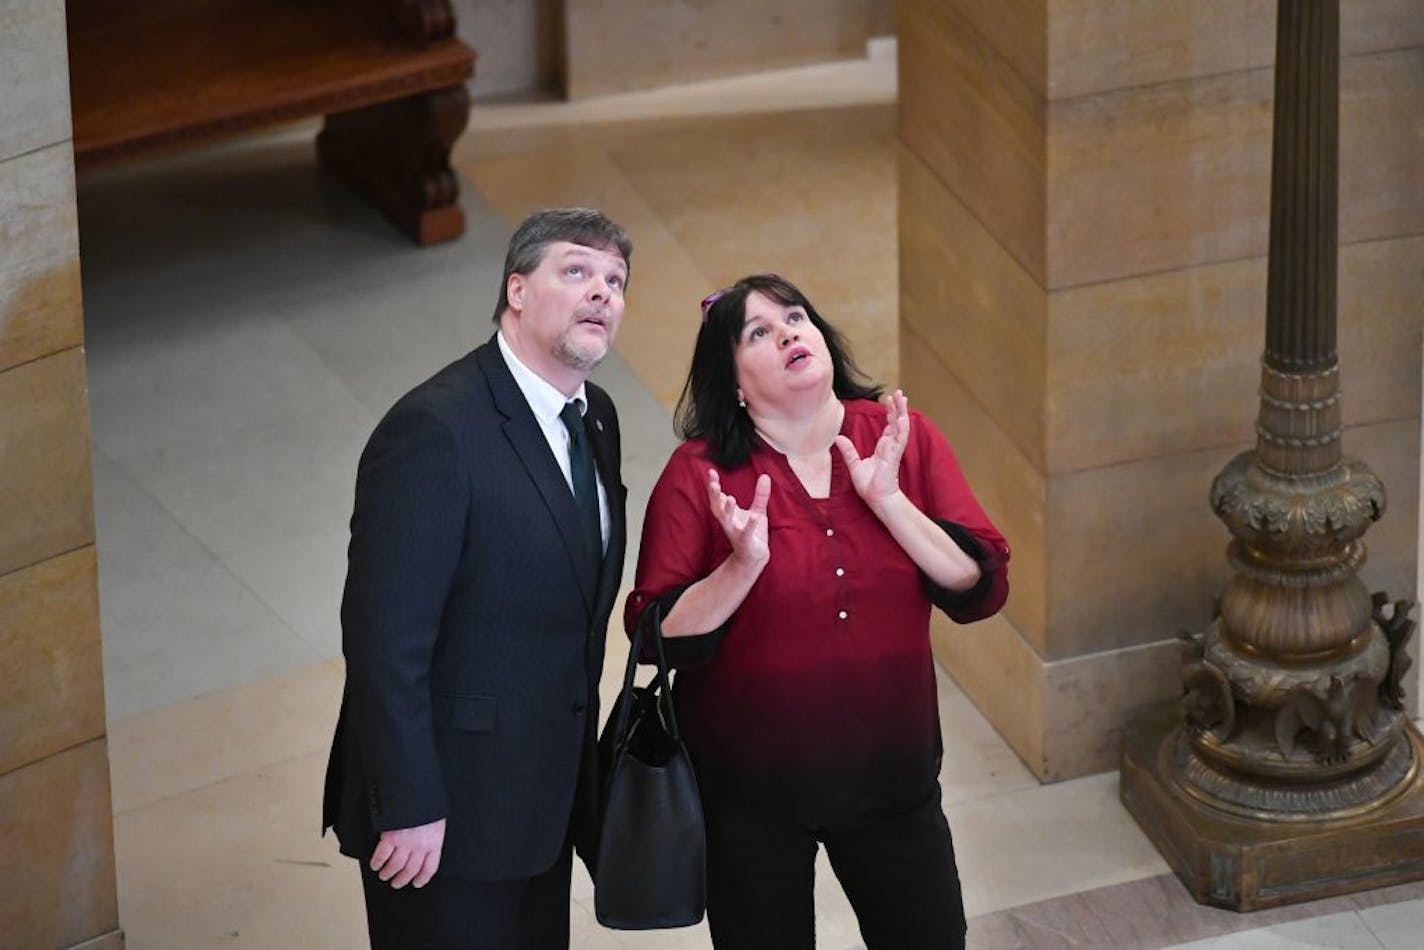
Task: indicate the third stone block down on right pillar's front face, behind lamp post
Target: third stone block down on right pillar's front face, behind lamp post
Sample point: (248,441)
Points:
(1170,362)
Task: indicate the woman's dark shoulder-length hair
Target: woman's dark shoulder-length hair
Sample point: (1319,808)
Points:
(708,408)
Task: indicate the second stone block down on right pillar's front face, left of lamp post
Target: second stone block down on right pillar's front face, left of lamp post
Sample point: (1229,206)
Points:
(1158,177)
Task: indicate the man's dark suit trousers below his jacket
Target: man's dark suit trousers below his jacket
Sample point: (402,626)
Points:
(469,915)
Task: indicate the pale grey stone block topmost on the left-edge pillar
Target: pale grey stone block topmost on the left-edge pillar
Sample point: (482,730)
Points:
(35,110)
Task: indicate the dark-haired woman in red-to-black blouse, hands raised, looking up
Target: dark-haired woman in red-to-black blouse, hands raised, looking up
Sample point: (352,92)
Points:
(791,555)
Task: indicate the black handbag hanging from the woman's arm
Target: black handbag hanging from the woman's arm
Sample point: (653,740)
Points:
(651,865)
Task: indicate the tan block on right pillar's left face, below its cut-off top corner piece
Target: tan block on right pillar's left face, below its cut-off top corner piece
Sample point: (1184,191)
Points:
(978,125)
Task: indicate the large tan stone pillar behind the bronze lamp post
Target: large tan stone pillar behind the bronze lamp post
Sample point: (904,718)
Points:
(1084,227)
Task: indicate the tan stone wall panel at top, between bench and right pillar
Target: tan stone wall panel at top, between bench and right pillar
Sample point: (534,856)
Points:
(616,46)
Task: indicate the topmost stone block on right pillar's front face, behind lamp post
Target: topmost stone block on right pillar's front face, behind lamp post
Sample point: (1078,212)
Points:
(1107,45)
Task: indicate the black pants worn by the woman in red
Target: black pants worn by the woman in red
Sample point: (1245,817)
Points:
(898,870)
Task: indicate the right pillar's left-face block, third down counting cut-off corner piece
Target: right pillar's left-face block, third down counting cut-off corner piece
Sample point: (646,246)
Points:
(975,307)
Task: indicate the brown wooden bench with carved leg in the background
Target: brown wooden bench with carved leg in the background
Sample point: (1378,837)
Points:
(156,76)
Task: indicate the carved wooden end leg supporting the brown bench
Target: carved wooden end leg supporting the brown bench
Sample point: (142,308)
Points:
(398,157)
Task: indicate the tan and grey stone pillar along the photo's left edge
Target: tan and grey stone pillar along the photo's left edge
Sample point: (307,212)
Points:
(56,818)
